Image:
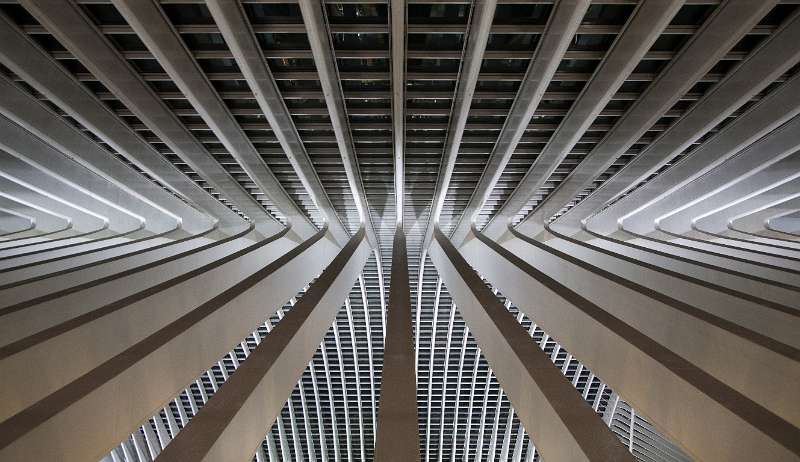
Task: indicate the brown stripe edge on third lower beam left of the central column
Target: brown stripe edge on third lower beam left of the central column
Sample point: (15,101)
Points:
(39,337)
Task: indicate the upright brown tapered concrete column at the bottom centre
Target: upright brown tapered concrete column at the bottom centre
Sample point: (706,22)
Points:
(398,429)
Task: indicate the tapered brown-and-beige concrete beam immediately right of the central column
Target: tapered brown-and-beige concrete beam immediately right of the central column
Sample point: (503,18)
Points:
(564,427)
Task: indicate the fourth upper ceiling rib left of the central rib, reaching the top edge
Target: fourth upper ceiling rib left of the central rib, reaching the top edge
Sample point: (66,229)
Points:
(79,35)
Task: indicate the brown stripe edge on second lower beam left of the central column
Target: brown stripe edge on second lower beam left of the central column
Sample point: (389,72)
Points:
(23,422)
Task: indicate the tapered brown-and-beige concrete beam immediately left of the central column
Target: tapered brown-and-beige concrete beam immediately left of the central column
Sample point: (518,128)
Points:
(233,423)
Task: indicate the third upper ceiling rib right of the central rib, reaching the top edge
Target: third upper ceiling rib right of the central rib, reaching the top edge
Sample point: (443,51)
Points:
(642,29)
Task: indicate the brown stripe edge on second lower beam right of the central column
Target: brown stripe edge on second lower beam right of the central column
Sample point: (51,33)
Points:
(783,432)
